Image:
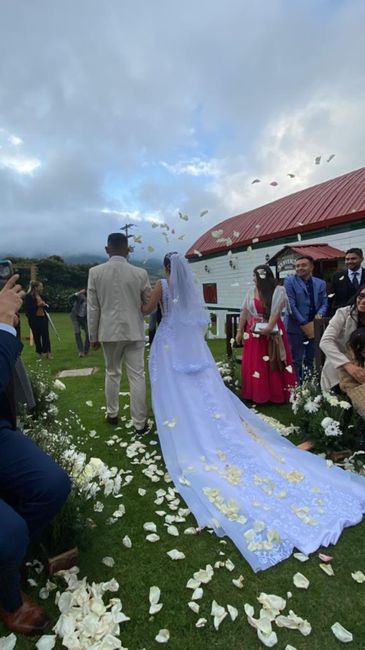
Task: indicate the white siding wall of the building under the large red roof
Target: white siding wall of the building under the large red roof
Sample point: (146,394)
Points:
(232,284)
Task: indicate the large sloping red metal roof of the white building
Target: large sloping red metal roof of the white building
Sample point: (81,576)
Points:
(339,200)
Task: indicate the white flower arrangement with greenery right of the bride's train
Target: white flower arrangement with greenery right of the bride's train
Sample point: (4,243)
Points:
(328,420)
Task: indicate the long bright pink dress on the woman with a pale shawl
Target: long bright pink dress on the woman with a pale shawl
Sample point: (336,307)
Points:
(260,384)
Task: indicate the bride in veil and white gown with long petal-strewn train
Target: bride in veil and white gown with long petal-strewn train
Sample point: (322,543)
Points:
(236,473)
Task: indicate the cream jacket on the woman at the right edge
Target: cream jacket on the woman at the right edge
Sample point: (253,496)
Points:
(334,344)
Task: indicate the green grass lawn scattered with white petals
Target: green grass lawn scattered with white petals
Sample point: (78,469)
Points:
(327,600)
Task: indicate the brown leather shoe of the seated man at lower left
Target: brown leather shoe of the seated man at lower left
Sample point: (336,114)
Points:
(28,619)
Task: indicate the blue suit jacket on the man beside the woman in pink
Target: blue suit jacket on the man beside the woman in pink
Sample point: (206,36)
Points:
(299,301)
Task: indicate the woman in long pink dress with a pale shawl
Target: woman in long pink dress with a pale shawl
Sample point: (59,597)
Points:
(267,372)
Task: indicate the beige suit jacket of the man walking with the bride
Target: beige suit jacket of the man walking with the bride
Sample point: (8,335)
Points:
(115,292)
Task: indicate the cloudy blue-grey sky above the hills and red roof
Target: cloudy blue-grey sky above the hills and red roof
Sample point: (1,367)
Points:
(131,111)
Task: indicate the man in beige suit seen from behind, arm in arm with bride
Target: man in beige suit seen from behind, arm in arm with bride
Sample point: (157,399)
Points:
(116,290)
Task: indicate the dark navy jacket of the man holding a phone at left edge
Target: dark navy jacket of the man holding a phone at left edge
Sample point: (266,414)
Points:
(10,348)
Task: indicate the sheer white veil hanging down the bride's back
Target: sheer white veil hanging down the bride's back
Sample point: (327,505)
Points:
(188,318)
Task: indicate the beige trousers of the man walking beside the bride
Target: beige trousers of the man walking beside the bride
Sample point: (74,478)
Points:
(132,352)
